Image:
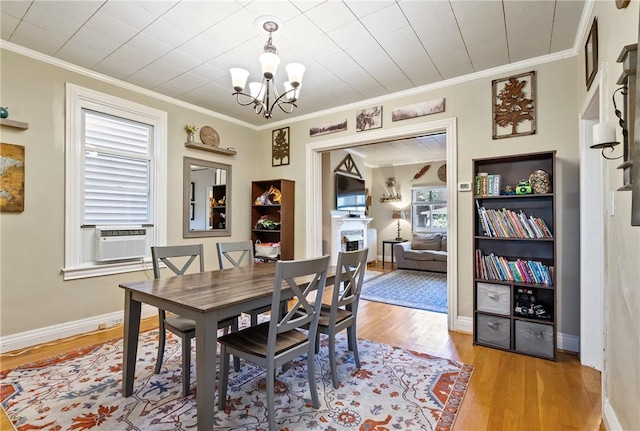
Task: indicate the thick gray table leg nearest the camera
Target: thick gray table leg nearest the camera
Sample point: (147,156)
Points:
(206,352)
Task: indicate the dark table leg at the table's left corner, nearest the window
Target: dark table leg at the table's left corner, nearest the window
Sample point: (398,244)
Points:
(130,344)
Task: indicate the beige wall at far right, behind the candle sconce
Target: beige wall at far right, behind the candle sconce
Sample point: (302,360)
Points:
(617,28)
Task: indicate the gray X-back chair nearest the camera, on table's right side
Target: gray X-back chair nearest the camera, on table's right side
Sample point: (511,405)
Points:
(282,339)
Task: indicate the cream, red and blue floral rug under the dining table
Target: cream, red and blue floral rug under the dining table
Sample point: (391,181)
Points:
(395,389)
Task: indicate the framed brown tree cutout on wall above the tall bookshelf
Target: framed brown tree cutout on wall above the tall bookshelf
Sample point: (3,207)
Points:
(513,107)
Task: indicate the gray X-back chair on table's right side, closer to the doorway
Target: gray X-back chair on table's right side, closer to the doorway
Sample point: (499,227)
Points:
(342,313)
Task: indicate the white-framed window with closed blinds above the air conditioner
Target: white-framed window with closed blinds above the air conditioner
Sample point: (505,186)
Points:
(115,176)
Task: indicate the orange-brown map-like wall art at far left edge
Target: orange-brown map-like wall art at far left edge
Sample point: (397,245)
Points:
(11,178)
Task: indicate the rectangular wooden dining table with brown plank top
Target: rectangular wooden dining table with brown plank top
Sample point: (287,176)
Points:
(206,298)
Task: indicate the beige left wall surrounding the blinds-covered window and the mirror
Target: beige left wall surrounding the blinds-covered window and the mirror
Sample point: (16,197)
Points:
(33,293)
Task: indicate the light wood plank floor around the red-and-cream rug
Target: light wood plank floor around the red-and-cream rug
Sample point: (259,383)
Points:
(507,391)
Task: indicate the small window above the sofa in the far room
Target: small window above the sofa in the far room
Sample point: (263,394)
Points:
(429,209)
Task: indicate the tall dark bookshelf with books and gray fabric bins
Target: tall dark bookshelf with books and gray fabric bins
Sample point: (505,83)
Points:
(514,293)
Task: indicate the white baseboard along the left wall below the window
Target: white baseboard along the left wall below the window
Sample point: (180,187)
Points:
(69,329)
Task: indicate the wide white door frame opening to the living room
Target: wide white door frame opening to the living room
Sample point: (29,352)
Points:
(313,156)
